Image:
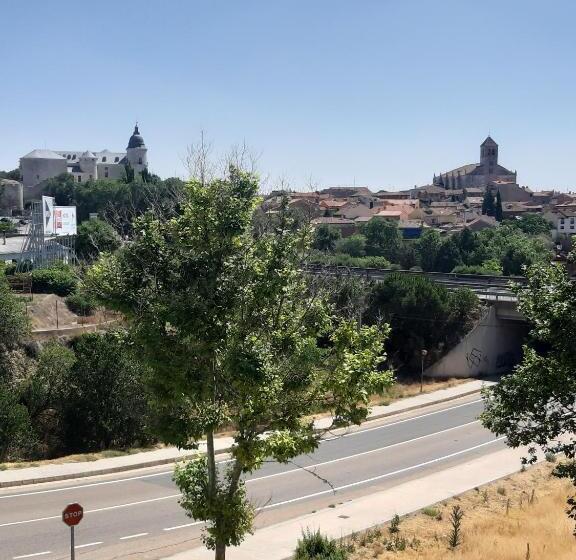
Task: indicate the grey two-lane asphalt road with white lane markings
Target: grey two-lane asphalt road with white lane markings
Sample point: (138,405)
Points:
(136,514)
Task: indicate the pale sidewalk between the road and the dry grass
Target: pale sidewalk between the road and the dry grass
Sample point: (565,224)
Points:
(278,542)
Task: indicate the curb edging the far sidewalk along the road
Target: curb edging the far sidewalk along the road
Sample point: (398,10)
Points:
(159,462)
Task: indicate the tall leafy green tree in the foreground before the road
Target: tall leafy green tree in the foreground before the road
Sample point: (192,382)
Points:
(237,336)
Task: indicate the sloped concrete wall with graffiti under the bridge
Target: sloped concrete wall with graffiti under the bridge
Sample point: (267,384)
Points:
(493,347)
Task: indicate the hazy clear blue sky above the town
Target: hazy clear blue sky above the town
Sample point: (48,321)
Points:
(382,93)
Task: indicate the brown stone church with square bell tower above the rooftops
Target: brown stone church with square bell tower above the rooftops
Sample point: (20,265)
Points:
(479,175)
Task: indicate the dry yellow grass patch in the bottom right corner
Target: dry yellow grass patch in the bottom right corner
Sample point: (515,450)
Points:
(488,531)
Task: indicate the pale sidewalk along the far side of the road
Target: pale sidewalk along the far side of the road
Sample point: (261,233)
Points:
(65,471)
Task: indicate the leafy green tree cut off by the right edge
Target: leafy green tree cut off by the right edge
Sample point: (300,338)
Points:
(535,405)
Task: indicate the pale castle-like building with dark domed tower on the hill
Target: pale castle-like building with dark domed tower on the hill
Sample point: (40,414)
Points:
(40,165)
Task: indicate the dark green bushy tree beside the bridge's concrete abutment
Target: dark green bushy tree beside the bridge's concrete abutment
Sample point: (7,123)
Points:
(422,314)
